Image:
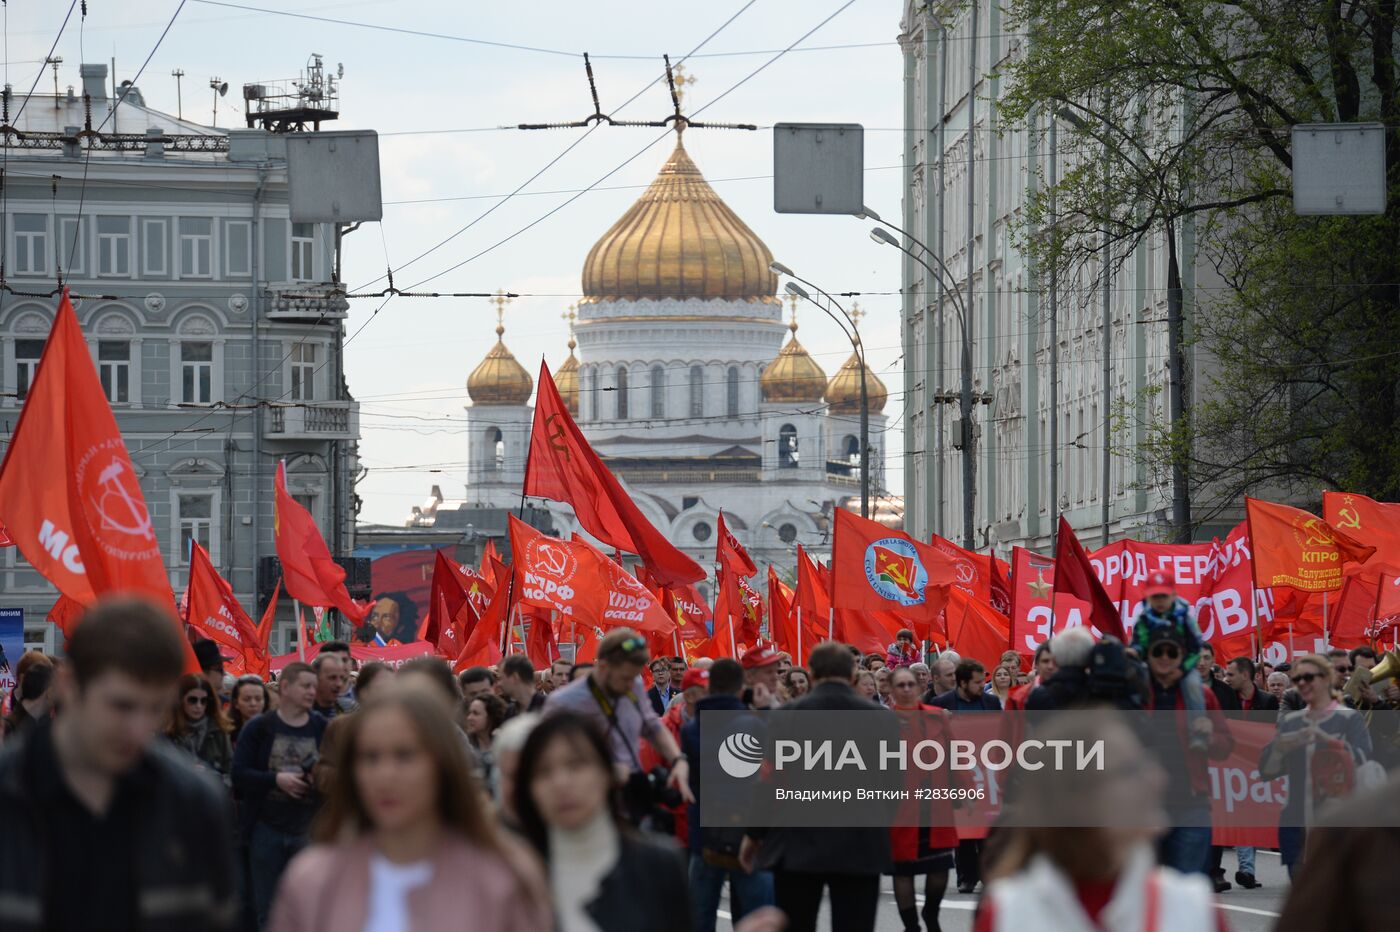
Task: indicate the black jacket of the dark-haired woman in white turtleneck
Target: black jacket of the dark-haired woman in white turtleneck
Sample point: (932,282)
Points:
(649,889)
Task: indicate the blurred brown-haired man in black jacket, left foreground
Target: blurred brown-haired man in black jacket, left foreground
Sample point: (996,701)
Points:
(106,828)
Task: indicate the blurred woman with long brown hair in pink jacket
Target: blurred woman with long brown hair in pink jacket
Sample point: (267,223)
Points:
(407,842)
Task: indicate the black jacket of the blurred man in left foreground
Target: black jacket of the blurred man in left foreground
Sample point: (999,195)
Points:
(180,852)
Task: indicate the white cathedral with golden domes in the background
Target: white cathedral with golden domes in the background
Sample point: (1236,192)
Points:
(691,384)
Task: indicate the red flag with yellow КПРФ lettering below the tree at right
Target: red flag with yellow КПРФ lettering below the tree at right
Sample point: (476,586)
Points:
(1300,551)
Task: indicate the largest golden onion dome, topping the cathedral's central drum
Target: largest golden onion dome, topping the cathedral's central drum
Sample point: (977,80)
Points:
(680,241)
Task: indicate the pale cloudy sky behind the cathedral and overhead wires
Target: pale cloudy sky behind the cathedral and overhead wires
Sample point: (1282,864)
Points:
(409,366)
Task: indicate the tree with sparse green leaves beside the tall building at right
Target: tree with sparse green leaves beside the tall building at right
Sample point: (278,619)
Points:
(1181,113)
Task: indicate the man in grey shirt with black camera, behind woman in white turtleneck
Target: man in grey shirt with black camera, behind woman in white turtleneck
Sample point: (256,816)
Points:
(612,695)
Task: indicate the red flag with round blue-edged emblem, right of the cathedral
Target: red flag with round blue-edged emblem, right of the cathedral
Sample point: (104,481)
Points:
(876,569)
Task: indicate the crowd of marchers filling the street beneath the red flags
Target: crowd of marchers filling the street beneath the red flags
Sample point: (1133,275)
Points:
(367,797)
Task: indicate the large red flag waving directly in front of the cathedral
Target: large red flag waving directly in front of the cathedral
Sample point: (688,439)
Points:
(565,468)
